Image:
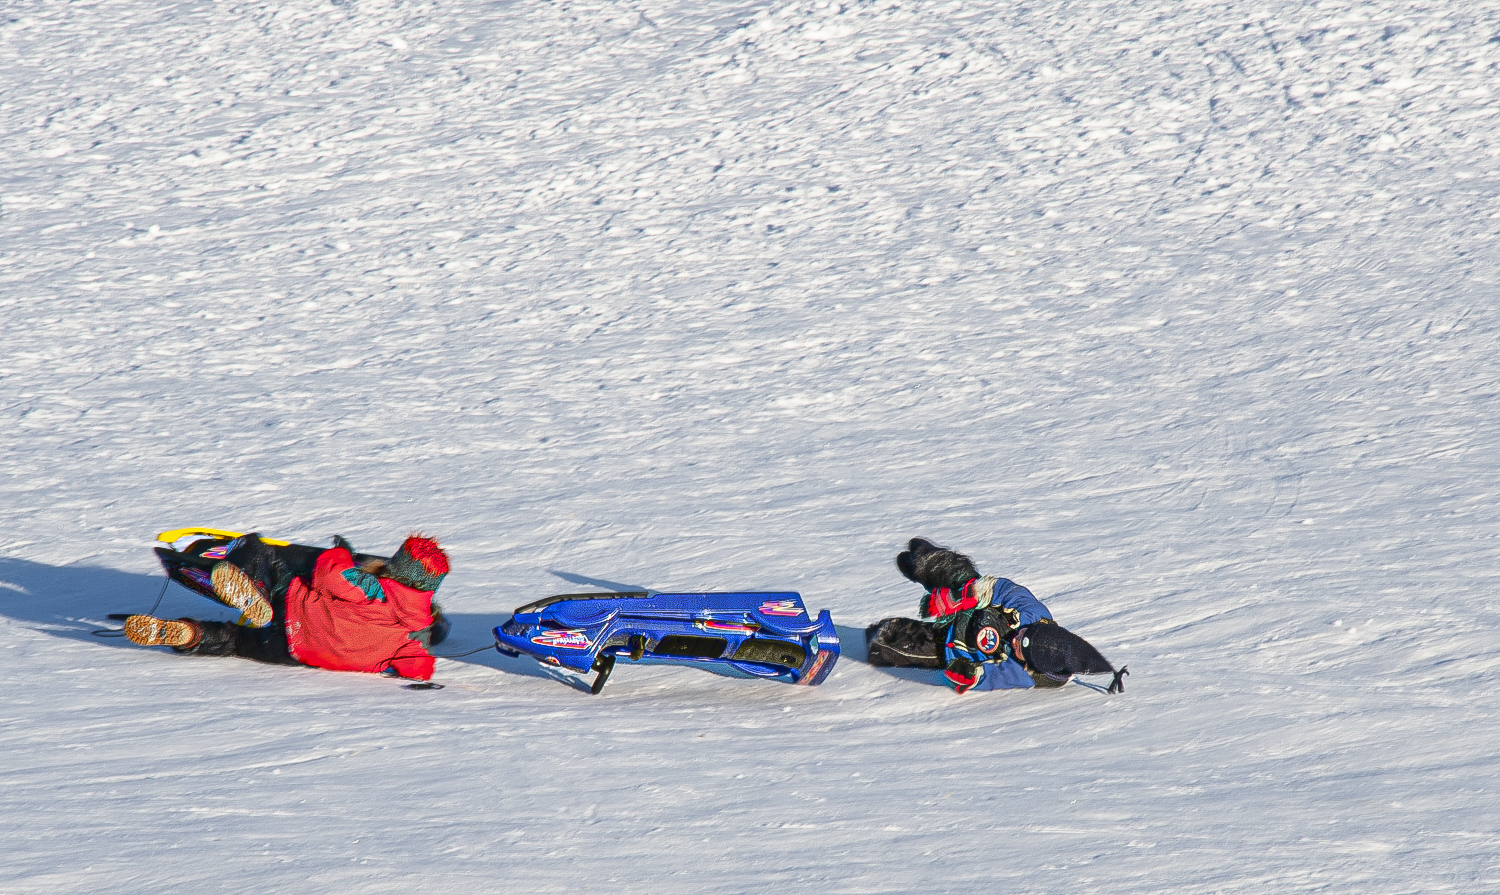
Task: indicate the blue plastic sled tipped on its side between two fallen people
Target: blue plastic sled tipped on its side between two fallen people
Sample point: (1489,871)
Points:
(761,635)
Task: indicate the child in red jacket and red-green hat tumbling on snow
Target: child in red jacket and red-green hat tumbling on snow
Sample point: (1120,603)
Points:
(374,617)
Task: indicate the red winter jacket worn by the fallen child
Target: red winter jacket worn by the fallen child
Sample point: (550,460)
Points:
(334,624)
